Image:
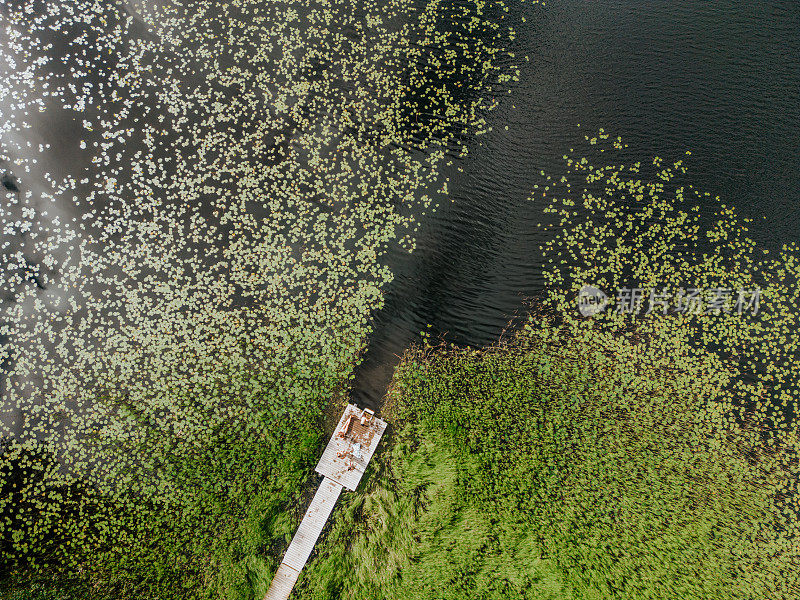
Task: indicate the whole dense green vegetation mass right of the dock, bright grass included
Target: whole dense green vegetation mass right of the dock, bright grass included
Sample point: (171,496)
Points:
(549,469)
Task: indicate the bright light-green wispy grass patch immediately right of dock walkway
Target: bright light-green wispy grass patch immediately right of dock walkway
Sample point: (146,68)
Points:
(415,534)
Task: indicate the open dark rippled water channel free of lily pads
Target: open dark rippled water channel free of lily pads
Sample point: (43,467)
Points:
(719,78)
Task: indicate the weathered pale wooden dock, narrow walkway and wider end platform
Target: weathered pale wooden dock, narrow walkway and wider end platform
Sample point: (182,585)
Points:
(342,464)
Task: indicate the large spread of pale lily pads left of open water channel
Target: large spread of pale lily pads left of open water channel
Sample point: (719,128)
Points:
(207,248)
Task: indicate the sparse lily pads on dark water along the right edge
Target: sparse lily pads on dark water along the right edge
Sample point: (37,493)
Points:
(642,225)
